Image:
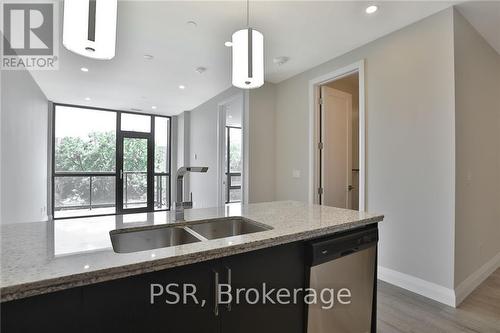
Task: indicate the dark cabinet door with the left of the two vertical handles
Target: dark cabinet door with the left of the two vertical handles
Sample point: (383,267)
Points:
(126,305)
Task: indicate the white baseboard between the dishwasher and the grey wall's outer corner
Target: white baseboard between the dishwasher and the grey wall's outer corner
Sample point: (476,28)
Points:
(419,286)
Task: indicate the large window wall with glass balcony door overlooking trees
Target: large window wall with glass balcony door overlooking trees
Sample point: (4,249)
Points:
(89,166)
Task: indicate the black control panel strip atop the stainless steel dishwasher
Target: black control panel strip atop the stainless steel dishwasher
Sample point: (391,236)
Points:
(324,250)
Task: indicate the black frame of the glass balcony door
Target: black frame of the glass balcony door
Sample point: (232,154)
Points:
(121,135)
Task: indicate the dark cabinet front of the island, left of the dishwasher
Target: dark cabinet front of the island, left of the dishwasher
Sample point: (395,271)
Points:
(124,305)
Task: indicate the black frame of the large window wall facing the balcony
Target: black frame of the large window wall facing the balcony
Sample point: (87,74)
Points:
(119,136)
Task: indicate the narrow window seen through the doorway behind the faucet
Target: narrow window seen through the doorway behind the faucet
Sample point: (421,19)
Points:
(233,164)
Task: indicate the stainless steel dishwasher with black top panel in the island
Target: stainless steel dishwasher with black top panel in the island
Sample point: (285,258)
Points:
(347,260)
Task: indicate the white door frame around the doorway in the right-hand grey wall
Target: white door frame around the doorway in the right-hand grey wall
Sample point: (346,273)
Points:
(314,123)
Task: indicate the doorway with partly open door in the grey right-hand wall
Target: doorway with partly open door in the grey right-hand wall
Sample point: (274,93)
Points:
(338,139)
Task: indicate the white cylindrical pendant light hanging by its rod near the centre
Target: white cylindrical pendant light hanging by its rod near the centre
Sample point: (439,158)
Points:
(248,57)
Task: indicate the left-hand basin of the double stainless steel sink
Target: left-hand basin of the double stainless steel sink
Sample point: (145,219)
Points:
(126,241)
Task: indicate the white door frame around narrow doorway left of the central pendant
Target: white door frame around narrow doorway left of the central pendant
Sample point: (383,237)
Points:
(221,147)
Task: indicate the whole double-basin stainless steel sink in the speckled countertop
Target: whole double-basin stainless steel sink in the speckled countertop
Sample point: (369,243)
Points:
(153,237)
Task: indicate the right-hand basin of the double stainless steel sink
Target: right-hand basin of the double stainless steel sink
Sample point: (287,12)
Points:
(226,227)
